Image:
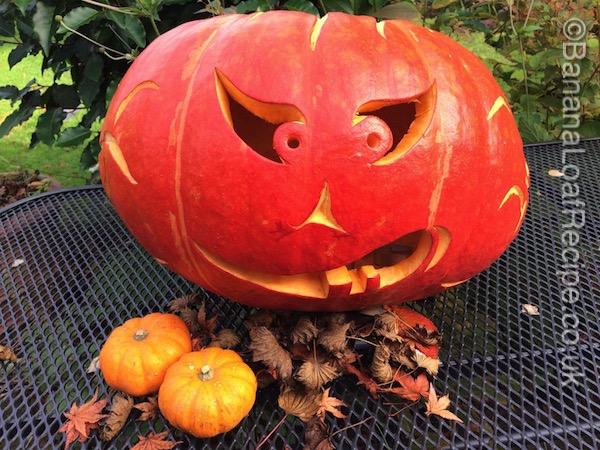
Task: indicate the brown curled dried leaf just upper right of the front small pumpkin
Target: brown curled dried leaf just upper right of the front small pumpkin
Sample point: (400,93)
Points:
(266,349)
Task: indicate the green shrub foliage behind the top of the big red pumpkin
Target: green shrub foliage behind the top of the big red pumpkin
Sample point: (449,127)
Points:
(94,42)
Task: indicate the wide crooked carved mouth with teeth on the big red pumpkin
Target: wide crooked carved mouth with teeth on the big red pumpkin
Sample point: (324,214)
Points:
(382,267)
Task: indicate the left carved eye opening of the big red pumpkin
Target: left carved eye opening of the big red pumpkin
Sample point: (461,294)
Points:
(254,121)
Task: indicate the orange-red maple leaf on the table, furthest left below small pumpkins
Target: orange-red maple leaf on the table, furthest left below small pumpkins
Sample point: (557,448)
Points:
(82,419)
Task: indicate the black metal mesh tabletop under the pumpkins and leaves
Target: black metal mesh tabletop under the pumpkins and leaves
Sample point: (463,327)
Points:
(70,272)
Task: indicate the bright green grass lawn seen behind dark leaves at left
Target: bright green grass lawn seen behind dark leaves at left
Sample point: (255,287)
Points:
(62,164)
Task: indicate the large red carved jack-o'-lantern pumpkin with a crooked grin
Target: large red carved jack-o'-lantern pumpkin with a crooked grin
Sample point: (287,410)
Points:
(290,162)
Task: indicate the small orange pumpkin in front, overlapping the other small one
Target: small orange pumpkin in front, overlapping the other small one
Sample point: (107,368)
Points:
(207,392)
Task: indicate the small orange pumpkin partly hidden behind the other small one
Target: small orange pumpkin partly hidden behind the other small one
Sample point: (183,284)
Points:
(137,354)
